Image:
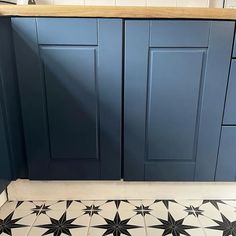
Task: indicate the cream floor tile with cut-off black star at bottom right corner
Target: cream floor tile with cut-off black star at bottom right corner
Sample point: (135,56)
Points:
(218,217)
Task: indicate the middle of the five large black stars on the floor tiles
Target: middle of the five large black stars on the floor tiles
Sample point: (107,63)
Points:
(117,226)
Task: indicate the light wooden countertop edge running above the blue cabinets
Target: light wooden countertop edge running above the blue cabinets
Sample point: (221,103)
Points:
(118,12)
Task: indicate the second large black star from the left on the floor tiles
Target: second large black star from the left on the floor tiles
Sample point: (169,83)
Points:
(61,226)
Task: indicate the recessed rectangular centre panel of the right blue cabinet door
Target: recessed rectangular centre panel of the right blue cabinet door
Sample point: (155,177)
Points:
(174,88)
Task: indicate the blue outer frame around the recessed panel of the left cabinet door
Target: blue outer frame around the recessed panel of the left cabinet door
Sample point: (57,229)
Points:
(34,107)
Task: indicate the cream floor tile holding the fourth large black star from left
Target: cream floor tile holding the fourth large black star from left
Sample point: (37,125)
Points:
(165,217)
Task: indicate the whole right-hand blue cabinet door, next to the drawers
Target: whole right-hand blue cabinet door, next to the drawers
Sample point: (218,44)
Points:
(175,82)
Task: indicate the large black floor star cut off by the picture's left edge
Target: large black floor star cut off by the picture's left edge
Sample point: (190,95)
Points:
(7,224)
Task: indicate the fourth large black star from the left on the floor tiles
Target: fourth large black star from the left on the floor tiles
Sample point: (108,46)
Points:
(173,227)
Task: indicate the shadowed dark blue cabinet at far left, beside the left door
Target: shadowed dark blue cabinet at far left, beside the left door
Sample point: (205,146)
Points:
(12,156)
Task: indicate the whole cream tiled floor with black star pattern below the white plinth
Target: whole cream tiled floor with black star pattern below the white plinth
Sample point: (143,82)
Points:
(119,218)
